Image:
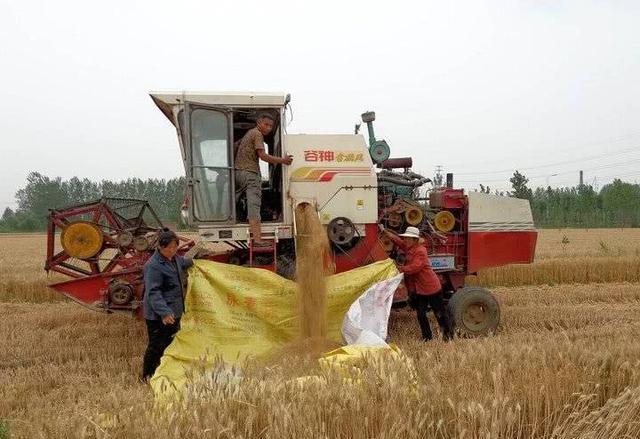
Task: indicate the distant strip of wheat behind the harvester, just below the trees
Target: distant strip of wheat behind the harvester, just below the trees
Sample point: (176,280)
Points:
(562,256)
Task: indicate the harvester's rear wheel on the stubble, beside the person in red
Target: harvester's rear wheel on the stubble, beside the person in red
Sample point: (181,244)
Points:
(475,311)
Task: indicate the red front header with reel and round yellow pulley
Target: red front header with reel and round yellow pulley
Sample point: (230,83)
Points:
(103,246)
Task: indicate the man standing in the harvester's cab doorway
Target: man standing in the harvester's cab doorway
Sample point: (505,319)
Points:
(248,179)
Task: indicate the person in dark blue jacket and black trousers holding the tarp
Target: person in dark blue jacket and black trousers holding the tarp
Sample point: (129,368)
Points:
(164,275)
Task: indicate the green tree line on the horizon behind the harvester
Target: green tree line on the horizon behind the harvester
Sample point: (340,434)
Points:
(615,205)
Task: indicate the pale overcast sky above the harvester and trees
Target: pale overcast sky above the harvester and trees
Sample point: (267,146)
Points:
(479,87)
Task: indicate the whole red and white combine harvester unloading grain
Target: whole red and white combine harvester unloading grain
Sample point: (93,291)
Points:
(353,185)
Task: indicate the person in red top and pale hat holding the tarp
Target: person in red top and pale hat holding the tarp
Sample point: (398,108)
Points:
(422,283)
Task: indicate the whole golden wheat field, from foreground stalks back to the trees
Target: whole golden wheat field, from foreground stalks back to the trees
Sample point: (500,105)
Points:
(565,363)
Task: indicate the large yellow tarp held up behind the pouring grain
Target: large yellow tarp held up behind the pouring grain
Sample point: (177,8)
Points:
(234,312)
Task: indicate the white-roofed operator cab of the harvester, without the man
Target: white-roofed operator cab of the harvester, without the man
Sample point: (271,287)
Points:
(209,126)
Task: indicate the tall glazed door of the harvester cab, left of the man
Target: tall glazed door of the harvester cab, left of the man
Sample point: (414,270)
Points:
(210,164)
